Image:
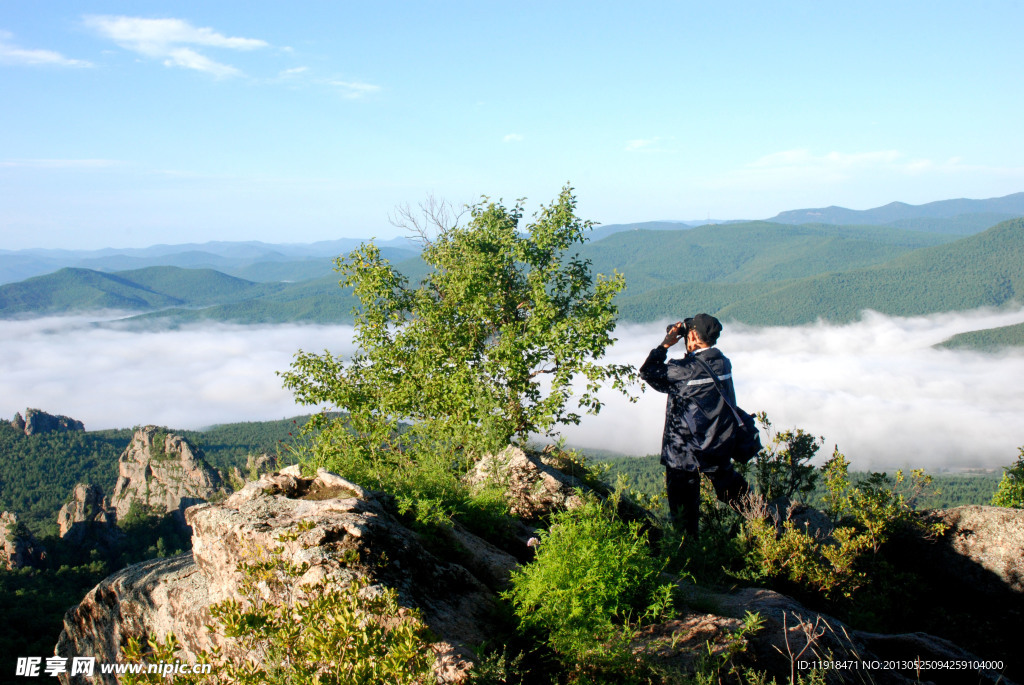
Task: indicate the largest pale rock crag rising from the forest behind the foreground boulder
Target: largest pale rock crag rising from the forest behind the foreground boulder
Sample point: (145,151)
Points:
(162,474)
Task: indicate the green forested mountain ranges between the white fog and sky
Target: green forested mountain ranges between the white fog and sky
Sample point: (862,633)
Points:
(758,273)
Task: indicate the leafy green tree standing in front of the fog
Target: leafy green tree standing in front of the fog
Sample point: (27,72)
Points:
(484,351)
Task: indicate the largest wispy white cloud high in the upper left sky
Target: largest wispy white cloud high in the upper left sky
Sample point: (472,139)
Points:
(170,40)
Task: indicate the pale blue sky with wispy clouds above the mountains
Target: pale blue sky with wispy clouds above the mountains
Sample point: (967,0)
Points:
(127,124)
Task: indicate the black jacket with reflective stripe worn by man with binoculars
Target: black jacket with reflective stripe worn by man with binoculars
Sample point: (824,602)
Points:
(699,424)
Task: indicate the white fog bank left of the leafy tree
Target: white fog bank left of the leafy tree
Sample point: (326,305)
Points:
(188,378)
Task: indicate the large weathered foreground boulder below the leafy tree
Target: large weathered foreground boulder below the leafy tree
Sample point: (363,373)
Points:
(336,528)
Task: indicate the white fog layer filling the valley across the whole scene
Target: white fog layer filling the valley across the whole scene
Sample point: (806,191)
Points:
(877,389)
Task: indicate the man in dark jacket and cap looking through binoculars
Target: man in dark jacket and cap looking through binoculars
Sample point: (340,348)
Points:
(699,424)
